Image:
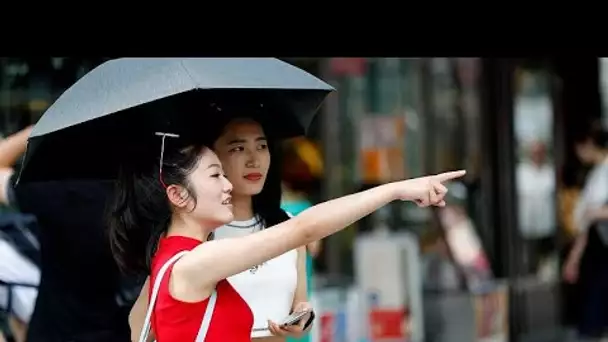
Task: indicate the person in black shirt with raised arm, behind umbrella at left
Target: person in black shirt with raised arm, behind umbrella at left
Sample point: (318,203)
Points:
(79,296)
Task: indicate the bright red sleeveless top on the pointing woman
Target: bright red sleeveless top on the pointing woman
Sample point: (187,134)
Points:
(174,320)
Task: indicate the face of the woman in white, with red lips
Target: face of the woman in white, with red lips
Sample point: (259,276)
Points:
(243,151)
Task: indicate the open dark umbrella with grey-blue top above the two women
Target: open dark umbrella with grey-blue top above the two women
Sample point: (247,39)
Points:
(124,102)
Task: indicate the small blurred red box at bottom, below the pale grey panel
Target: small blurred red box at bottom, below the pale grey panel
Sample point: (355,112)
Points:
(388,324)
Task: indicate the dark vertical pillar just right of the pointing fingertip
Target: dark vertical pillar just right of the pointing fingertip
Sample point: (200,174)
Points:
(498,175)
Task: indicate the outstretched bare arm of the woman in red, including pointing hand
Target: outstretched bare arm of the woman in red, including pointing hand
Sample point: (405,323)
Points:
(215,260)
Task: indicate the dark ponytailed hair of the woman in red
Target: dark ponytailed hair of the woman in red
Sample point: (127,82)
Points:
(140,212)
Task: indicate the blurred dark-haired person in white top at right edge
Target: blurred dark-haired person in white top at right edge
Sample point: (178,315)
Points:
(587,262)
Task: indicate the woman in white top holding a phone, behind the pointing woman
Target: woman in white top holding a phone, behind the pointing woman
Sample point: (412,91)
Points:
(277,287)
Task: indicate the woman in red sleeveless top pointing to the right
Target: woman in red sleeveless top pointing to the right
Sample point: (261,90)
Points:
(161,219)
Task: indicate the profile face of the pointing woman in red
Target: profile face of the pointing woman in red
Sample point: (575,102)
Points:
(212,190)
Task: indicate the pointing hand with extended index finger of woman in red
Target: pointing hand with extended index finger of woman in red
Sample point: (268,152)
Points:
(426,191)
